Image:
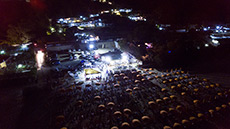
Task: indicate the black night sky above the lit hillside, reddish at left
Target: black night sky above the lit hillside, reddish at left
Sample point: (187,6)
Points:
(162,11)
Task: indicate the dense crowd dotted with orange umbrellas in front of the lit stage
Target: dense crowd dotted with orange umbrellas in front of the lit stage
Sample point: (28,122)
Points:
(142,99)
